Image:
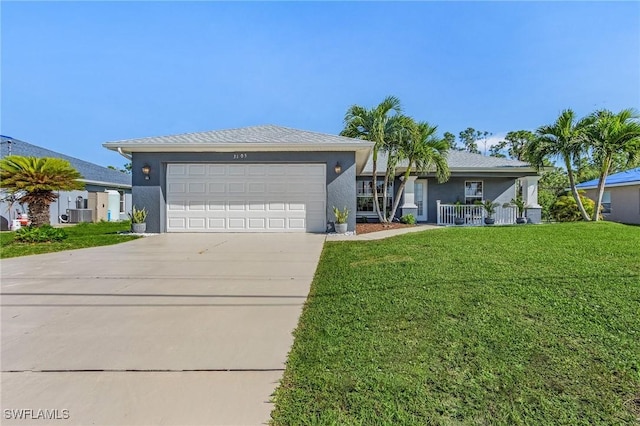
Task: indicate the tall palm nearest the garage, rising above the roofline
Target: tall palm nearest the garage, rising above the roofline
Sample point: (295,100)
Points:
(374,125)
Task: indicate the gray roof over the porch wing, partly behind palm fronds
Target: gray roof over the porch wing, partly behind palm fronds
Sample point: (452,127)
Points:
(461,161)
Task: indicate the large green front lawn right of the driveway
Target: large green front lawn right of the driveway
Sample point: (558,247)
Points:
(513,325)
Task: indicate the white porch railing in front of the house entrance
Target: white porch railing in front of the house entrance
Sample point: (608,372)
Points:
(472,214)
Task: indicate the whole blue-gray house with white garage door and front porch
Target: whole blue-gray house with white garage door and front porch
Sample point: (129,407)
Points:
(277,179)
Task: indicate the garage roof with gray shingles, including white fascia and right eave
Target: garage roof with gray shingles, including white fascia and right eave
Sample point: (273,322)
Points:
(255,138)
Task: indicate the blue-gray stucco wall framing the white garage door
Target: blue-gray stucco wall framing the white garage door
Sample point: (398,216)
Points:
(151,193)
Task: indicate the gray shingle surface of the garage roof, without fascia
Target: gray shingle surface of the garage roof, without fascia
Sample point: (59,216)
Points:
(267,134)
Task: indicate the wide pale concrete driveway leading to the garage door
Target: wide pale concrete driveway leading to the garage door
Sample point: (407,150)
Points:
(170,329)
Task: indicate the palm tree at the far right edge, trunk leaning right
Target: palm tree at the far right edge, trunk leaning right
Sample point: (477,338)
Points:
(609,135)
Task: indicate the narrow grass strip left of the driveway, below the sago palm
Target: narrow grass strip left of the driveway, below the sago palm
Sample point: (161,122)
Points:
(82,235)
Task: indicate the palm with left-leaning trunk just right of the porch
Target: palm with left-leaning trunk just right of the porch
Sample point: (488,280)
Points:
(566,139)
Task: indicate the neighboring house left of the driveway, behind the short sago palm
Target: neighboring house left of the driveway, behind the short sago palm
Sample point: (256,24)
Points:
(107,193)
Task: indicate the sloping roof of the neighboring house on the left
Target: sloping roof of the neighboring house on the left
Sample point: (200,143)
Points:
(91,173)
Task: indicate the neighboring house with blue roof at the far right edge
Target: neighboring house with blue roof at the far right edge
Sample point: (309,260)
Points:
(621,197)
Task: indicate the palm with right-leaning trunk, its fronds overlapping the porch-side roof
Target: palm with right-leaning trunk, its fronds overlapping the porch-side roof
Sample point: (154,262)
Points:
(423,150)
